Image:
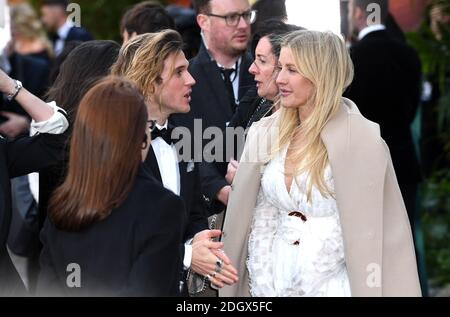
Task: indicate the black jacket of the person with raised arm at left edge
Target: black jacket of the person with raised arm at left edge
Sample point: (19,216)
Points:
(20,157)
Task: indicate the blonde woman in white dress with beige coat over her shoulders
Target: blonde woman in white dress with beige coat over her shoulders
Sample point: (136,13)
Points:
(315,208)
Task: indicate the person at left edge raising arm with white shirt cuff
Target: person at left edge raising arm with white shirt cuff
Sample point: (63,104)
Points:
(20,157)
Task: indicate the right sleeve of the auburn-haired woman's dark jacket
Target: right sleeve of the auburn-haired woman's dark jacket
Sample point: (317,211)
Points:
(156,271)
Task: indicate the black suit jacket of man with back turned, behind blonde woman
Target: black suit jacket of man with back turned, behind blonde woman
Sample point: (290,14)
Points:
(386,89)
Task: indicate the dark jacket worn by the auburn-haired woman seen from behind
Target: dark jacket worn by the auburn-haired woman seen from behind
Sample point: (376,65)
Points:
(133,252)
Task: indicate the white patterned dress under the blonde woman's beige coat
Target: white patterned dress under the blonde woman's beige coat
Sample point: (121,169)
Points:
(295,247)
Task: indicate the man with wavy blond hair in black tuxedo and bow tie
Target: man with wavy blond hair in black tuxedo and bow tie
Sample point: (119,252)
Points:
(156,63)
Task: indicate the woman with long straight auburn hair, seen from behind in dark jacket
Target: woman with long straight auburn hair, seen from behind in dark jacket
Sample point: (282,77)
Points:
(110,219)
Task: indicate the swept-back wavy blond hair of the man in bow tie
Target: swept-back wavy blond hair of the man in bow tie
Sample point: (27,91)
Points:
(141,60)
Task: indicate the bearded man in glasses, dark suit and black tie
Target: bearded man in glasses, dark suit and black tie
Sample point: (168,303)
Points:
(221,72)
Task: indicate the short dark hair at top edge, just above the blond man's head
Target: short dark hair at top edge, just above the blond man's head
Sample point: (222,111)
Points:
(146,17)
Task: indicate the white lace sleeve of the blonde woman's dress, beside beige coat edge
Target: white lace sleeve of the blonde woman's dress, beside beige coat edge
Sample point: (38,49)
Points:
(259,263)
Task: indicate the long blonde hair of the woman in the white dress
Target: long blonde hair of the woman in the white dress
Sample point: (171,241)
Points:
(321,57)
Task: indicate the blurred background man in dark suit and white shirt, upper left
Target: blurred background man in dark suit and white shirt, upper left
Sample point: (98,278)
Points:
(61,29)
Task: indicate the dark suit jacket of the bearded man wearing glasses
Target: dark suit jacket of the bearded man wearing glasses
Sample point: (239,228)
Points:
(210,103)
